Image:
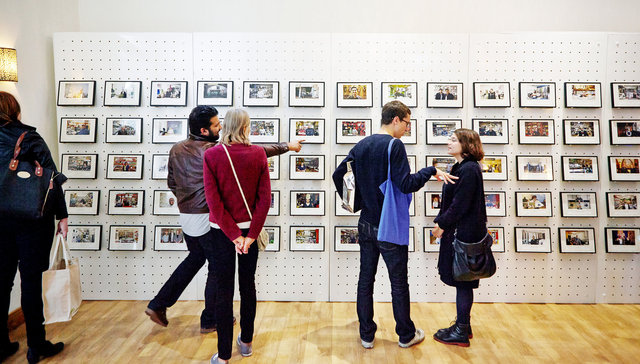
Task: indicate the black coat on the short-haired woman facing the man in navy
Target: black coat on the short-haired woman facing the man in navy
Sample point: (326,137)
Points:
(463,212)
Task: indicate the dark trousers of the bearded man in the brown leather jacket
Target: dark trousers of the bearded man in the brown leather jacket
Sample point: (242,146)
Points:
(200,249)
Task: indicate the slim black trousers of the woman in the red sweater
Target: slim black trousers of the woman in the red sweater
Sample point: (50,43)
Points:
(224,259)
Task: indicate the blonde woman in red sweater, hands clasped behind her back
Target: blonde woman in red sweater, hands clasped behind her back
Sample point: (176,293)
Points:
(234,228)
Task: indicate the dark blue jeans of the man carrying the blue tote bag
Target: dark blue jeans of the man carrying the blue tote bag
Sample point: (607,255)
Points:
(395,258)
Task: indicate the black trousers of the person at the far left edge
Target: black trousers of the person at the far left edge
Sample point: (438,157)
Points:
(25,245)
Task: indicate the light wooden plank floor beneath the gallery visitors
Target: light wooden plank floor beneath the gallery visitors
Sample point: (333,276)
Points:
(321,332)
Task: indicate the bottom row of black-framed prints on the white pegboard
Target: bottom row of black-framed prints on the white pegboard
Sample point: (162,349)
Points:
(311,238)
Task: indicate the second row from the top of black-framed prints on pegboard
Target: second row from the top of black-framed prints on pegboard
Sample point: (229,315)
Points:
(351,131)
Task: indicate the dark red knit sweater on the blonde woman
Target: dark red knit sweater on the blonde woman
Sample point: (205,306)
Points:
(226,207)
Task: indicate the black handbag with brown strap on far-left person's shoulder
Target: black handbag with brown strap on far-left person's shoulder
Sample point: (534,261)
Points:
(24,187)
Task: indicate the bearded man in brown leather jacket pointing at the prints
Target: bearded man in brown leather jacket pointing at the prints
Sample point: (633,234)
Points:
(185,179)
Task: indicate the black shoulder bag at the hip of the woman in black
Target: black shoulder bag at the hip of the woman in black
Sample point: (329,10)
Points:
(473,261)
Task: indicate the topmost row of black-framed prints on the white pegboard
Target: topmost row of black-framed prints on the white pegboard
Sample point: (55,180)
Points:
(348,94)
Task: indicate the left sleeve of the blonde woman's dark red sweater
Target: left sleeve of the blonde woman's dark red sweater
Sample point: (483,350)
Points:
(214,199)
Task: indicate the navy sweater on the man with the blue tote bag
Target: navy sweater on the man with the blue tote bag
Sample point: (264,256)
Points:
(369,166)
